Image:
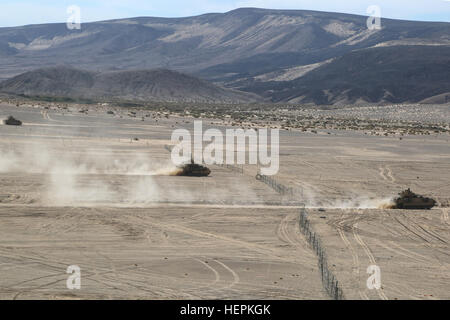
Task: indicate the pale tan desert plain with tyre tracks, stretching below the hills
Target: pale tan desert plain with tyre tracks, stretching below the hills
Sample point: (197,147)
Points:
(97,190)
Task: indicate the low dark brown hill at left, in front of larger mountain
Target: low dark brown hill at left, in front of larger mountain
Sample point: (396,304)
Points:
(153,85)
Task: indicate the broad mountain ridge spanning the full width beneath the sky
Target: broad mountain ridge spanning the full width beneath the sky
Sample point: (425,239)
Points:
(267,52)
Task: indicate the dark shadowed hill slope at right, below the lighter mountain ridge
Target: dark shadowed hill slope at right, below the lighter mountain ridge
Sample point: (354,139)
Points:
(376,75)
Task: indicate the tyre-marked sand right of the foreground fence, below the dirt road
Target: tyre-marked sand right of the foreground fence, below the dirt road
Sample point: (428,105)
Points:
(410,248)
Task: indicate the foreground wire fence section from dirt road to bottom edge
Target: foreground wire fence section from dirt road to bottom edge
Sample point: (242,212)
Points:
(329,281)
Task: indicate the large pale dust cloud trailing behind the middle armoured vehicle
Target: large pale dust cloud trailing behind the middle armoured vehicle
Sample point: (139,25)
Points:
(73,177)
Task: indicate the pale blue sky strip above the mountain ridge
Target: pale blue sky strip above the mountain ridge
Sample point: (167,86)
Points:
(23,12)
